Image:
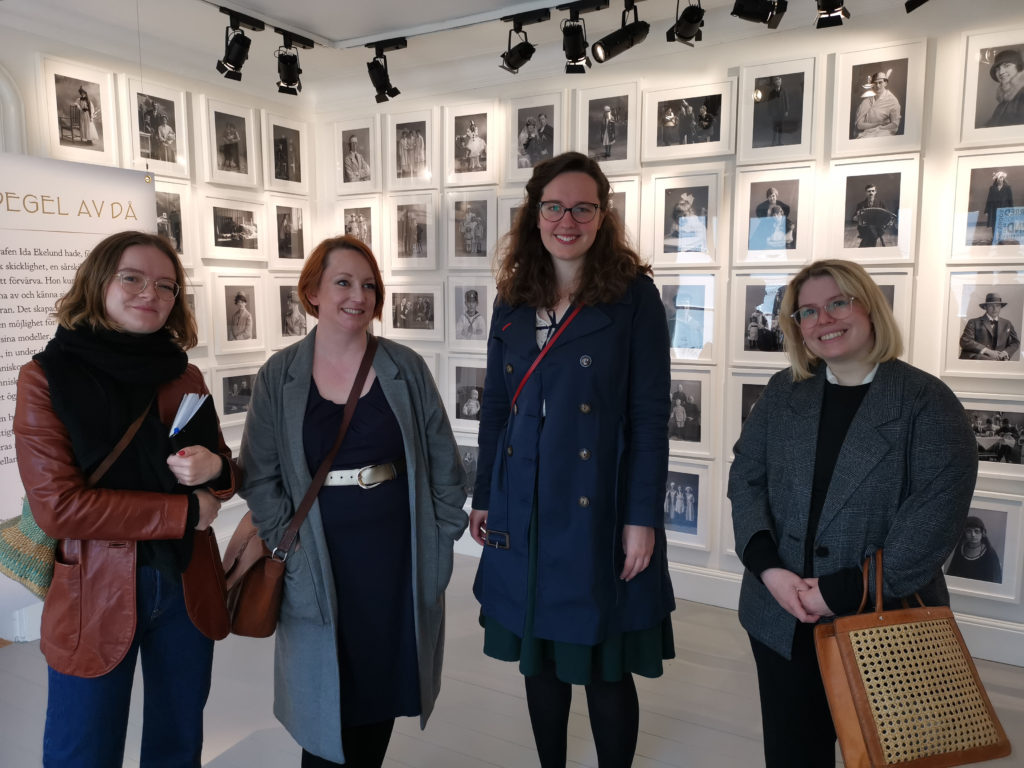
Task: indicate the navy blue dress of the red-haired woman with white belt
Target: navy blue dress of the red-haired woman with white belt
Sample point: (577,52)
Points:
(369,537)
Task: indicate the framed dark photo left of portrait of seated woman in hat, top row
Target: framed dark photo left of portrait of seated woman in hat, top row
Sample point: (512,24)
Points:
(777,112)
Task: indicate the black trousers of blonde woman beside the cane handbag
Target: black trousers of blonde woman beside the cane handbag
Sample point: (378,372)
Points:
(798,727)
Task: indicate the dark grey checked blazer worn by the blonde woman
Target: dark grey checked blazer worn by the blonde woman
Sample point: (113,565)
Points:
(903,483)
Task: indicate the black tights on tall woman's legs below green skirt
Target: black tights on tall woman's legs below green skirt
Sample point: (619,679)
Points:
(615,718)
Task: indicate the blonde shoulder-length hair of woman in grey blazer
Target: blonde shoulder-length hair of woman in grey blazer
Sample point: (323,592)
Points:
(852,281)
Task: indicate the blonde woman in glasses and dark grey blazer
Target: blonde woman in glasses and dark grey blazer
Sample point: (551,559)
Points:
(848,452)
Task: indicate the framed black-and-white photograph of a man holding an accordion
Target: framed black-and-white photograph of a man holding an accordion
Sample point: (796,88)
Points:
(874,211)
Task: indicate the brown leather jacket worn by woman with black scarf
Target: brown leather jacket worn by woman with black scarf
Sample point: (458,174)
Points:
(90,615)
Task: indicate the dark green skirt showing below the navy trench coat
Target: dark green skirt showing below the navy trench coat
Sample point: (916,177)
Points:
(639,652)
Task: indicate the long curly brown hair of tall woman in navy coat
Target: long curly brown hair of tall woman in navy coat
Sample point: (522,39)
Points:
(527,275)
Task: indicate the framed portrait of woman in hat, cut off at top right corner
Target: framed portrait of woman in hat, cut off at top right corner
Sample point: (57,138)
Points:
(994,89)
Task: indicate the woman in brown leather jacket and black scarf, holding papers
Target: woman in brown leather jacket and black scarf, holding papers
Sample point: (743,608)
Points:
(136,568)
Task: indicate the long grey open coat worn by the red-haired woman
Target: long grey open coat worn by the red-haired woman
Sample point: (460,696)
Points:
(307,694)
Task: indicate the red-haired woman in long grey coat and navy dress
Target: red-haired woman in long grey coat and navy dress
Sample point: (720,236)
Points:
(362,630)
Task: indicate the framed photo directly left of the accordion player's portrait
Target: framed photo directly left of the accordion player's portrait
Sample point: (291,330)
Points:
(775,216)
